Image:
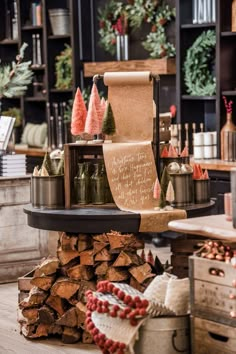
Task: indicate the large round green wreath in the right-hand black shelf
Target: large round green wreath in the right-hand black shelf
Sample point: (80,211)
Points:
(197,68)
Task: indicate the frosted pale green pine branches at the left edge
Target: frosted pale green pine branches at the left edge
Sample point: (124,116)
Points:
(15,79)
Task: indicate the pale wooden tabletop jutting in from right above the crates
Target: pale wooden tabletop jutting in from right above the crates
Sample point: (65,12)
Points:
(213,226)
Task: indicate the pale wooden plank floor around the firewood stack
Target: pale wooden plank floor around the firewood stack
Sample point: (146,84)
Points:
(12,342)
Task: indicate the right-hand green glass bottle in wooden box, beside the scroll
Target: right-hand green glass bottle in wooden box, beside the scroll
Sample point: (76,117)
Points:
(98,185)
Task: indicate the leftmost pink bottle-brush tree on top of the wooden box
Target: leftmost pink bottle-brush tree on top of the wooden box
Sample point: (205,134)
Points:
(79,114)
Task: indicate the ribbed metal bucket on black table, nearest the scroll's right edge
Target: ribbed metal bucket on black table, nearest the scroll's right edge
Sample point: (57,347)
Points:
(183,188)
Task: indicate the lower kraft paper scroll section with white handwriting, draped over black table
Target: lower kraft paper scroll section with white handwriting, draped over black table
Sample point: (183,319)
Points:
(131,174)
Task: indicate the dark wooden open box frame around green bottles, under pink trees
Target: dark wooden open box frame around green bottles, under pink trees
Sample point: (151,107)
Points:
(75,153)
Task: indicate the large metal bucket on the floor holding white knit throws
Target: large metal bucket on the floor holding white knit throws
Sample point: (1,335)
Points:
(164,335)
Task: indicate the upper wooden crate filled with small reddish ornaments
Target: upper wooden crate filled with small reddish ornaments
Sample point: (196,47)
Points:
(213,297)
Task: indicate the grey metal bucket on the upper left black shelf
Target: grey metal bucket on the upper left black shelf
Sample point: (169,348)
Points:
(60,22)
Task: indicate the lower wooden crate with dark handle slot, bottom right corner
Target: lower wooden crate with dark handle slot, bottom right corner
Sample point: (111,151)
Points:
(211,337)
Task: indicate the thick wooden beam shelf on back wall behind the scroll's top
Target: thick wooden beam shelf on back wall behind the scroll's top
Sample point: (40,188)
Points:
(156,66)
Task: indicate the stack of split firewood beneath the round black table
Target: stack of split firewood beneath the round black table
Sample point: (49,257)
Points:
(56,305)
